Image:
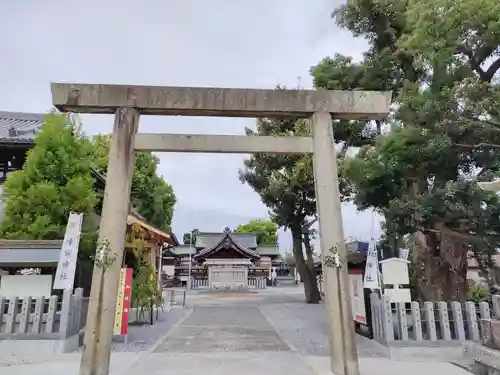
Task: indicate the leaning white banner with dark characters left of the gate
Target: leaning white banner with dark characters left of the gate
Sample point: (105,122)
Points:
(66,268)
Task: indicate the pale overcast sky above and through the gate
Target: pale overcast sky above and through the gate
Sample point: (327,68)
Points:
(255,44)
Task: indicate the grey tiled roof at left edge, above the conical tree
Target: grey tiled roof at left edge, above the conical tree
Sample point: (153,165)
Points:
(18,127)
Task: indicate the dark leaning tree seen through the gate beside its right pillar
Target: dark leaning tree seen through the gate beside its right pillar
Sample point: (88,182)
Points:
(285,185)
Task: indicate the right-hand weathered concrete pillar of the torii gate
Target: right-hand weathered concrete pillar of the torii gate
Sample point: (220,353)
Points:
(343,354)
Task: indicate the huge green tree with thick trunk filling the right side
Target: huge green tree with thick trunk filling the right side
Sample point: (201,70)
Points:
(440,61)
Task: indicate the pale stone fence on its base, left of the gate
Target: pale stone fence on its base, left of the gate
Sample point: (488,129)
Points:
(42,324)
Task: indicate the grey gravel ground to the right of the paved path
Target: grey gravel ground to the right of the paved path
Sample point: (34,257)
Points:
(304,328)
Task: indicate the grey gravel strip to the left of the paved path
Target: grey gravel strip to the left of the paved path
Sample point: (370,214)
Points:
(143,337)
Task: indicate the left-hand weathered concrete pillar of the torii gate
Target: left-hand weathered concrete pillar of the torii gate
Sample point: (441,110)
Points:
(105,280)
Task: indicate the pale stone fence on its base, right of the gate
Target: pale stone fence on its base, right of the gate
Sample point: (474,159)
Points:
(430,329)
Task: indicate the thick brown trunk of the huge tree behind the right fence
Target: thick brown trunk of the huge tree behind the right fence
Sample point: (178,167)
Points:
(440,265)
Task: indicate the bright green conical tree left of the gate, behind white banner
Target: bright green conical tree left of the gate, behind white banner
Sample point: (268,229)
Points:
(55,180)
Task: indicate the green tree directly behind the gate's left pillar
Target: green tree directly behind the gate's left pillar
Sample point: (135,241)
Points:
(151,195)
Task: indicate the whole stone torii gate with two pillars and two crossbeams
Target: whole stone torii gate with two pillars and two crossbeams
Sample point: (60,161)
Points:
(129,102)
